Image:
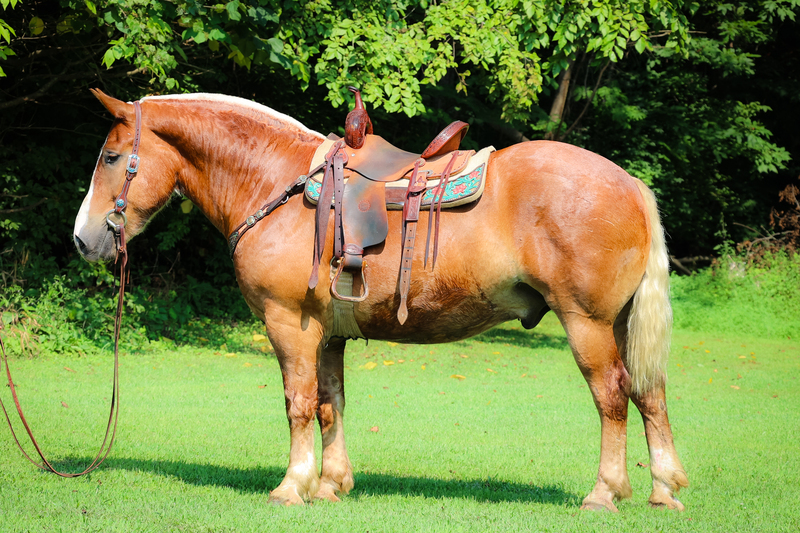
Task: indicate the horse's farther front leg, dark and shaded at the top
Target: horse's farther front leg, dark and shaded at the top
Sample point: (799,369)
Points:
(337,473)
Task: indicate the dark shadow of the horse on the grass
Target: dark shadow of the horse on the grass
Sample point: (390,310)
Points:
(262,480)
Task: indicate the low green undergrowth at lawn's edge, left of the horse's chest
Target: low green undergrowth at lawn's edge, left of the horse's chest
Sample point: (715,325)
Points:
(70,314)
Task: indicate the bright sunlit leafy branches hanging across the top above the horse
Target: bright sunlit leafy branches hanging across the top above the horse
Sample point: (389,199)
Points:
(391,48)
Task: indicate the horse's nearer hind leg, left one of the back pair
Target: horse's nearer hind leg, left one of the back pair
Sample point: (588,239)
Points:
(595,350)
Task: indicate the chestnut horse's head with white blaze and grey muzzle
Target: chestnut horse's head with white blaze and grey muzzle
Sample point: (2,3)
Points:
(149,190)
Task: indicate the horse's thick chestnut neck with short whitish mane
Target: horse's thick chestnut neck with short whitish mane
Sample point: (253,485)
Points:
(237,157)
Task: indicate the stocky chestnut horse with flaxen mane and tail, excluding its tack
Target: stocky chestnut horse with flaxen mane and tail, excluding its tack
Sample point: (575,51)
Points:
(557,228)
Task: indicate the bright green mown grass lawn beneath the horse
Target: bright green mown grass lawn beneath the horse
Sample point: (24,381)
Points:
(513,446)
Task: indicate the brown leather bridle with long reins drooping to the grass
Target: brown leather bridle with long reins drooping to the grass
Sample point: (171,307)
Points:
(122,259)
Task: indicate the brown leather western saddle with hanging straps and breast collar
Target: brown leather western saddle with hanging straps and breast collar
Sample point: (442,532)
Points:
(367,162)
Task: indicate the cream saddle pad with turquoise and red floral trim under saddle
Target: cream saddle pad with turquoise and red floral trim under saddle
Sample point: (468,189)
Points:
(462,188)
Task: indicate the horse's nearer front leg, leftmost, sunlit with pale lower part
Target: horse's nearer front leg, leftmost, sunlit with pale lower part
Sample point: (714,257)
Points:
(297,348)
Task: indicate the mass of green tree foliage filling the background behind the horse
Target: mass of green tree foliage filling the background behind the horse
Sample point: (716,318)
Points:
(697,98)
